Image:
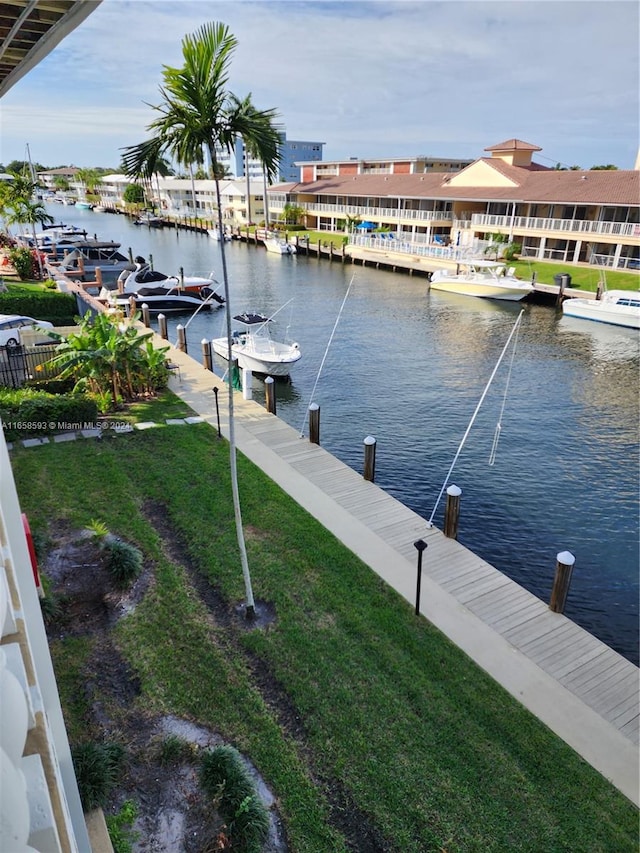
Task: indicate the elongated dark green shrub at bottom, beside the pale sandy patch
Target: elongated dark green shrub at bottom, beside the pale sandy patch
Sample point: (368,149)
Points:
(225,778)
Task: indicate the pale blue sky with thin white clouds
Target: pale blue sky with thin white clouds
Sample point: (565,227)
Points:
(368,79)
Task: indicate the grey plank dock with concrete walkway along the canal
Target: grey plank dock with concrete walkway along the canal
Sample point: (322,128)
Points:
(582,689)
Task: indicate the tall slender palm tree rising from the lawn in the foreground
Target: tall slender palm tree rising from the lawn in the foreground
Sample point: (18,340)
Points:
(198,114)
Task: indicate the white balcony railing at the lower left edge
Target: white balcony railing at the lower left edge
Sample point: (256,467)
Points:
(27,819)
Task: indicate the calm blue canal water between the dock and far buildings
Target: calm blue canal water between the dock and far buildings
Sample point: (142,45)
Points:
(409,367)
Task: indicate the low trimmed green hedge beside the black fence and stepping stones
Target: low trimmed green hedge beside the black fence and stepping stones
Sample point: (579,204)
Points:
(27,414)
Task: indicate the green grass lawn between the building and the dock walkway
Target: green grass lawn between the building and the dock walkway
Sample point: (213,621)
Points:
(392,720)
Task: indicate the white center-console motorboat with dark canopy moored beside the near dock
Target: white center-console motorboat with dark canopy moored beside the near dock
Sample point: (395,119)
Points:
(255,349)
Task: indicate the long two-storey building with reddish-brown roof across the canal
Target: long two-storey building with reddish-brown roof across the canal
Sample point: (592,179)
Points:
(571,216)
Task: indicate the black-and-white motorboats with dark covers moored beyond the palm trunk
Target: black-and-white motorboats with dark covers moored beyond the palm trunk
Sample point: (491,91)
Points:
(161,292)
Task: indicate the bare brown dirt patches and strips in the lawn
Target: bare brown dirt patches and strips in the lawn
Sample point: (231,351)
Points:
(173,815)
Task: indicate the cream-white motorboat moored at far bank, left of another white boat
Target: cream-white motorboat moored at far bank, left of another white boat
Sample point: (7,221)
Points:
(488,279)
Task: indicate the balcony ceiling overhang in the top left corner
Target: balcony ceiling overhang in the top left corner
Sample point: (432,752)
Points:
(31,29)
